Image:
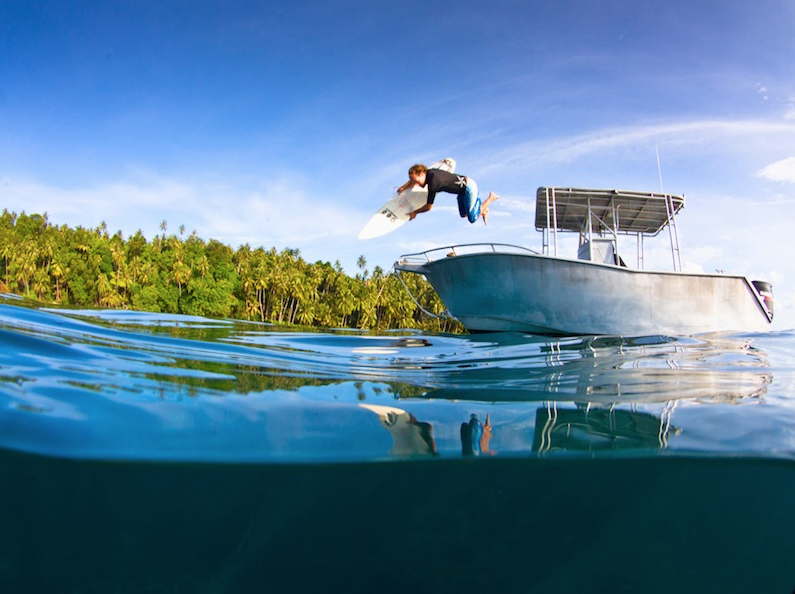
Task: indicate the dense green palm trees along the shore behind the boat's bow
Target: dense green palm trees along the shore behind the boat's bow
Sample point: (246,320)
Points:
(82,267)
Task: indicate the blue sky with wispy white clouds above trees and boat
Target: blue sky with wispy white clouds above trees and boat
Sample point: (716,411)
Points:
(288,124)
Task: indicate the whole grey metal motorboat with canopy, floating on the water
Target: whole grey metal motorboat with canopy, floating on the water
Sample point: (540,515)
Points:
(499,287)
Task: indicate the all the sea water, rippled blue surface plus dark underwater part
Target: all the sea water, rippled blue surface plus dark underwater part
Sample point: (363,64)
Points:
(157,453)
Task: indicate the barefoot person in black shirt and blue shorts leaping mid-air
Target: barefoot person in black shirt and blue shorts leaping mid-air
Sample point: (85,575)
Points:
(465,189)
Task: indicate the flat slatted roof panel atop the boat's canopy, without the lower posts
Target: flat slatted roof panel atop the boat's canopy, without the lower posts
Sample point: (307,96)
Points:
(611,210)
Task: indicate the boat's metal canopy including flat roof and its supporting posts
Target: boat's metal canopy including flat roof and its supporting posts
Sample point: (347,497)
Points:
(601,213)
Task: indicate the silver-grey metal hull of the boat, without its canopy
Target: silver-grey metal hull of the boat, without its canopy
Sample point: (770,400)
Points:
(493,291)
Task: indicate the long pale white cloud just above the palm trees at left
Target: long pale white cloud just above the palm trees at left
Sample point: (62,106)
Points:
(277,214)
